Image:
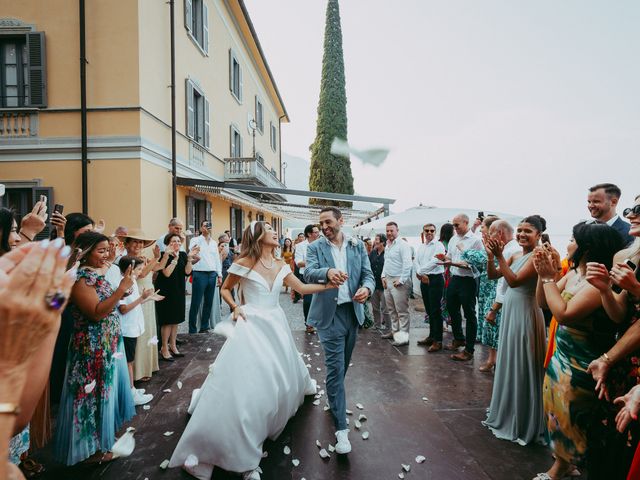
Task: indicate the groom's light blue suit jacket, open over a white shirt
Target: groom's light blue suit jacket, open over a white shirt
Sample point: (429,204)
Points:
(319,261)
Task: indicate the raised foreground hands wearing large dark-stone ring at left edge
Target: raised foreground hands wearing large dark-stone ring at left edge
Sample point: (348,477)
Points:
(31,317)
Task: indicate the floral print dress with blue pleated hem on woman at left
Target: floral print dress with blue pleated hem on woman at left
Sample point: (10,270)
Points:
(96,398)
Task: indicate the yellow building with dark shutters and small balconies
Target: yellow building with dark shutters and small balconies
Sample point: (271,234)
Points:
(225,94)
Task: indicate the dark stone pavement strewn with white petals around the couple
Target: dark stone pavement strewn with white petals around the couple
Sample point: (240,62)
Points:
(415,403)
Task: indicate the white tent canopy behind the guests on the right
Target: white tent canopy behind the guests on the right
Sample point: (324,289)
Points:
(410,221)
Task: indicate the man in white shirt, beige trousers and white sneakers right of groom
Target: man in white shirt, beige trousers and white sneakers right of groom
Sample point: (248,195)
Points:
(396,280)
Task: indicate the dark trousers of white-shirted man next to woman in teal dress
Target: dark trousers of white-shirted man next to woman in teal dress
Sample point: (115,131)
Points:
(461,292)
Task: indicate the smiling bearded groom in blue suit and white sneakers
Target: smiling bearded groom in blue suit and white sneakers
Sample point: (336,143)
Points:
(336,314)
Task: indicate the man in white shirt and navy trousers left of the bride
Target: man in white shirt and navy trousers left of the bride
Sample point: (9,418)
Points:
(206,274)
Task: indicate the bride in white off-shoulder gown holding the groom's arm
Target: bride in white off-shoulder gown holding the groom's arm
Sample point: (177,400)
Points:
(258,380)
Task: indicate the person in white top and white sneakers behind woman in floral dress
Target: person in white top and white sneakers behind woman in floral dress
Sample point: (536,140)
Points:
(132,321)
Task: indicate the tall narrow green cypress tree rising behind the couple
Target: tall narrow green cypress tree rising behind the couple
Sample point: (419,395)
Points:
(330,173)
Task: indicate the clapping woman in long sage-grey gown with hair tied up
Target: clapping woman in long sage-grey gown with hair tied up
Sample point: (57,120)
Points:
(516,412)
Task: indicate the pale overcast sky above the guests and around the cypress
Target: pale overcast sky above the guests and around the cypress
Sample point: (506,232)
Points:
(494,105)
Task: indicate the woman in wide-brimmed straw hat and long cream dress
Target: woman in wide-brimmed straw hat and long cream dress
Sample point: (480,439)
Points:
(146,352)
